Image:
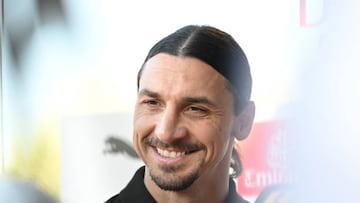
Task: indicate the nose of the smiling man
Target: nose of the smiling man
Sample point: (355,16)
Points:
(169,128)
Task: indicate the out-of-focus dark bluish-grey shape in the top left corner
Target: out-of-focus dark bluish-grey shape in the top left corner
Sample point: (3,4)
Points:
(21,22)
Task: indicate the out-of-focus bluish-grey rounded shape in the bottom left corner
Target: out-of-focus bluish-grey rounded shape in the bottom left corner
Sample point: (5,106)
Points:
(19,191)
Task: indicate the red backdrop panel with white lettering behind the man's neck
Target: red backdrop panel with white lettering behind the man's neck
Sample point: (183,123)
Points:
(264,158)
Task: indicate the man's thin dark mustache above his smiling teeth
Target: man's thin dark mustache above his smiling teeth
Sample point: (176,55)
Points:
(181,145)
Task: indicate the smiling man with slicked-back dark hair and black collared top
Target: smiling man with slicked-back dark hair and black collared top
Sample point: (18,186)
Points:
(193,103)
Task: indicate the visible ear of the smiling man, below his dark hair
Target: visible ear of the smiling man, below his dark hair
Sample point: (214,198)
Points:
(244,122)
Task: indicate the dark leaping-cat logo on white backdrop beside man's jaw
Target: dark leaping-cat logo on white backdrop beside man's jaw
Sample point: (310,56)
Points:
(116,145)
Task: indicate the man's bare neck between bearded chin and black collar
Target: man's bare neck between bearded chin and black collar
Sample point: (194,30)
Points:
(212,186)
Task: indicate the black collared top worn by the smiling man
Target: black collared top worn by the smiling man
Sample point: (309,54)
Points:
(136,192)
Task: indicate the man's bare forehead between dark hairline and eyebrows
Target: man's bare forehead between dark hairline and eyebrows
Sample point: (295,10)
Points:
(182,76)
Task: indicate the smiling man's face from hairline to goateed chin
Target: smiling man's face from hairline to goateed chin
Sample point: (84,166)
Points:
(183,122)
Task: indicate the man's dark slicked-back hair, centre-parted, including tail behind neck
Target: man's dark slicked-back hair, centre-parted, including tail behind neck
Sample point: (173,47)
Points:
(219,50)
